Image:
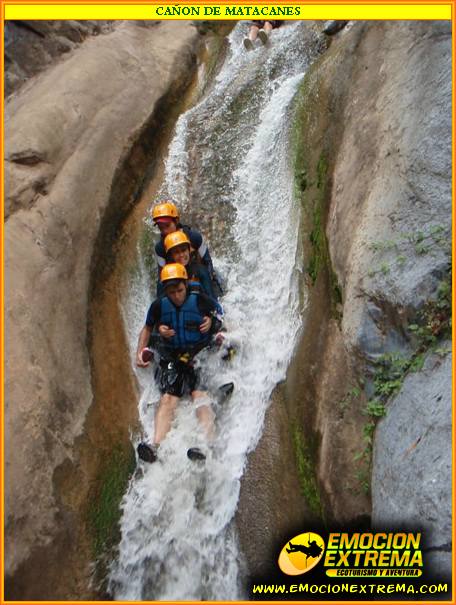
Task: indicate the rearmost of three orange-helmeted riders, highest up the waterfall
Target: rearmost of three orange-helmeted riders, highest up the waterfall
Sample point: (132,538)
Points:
(166,216)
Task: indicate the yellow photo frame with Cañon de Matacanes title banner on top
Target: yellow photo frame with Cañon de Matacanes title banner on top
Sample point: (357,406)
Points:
(317,10)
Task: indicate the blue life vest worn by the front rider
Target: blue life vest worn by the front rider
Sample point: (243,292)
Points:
(185,321)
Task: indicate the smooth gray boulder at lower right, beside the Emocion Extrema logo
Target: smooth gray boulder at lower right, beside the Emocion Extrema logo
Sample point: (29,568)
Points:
(411,481)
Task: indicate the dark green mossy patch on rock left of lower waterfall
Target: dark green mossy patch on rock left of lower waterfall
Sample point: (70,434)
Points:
(103,511)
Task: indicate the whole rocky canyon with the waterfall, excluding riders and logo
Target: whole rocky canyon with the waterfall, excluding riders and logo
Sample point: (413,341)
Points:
(321,178)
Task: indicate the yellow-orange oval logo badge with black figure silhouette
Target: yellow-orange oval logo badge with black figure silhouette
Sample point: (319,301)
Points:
(301,553)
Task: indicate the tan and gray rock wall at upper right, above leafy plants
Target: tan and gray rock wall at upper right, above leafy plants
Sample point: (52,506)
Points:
(394,197)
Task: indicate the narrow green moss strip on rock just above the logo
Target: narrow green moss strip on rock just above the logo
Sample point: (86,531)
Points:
(306,471)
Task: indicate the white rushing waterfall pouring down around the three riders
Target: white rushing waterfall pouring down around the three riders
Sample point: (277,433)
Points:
(178,537)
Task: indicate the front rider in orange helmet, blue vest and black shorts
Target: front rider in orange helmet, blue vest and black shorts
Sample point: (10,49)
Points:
(186,323)
